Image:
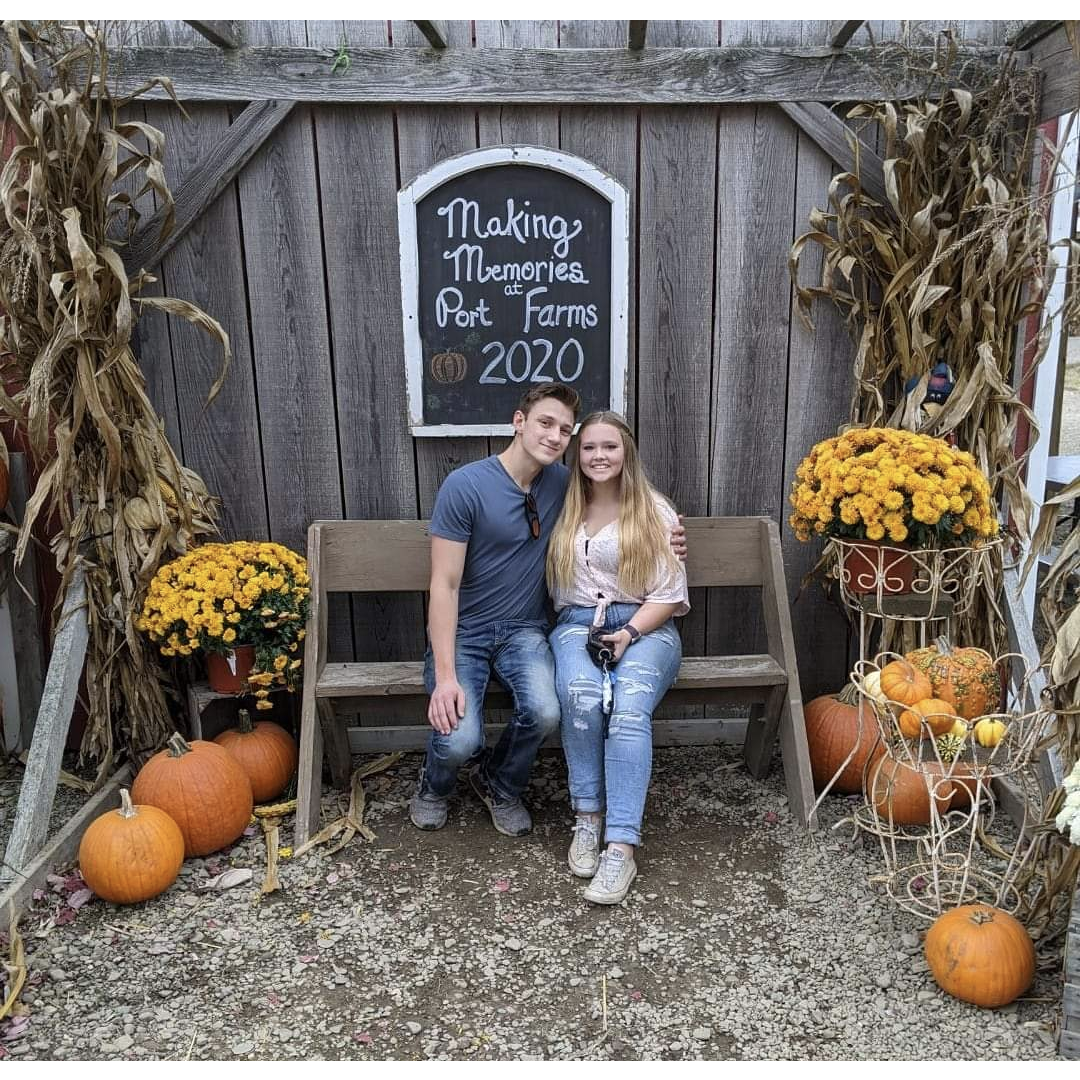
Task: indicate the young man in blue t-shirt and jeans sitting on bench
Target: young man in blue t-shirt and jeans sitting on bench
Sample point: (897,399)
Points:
(489,613)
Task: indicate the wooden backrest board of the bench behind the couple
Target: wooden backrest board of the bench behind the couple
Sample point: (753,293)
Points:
(385,557)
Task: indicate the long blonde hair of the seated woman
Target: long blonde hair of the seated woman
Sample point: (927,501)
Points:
(644,538)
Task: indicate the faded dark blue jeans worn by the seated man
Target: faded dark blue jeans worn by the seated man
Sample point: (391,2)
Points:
(518,653)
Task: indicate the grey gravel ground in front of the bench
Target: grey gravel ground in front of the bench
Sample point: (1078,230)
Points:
(744,938)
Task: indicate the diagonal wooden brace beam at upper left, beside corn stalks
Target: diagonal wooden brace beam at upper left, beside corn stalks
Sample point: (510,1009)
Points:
(207,182)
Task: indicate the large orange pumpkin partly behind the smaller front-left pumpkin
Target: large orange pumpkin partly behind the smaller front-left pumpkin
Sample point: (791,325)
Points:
(202,788)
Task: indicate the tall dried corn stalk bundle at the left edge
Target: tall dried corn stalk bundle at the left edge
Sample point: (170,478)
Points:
(111,487)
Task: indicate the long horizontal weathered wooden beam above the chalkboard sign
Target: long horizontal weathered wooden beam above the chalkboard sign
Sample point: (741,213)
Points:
(535,76)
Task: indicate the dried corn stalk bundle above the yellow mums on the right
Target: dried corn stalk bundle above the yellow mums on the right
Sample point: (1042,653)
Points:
(949,269)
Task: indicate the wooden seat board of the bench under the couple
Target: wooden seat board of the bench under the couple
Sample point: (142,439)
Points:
(407,677)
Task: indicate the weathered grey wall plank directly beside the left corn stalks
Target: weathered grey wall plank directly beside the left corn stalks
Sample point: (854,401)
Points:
(207,267)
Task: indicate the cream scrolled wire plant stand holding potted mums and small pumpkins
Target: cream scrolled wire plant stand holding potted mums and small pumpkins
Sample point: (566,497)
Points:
(938,855)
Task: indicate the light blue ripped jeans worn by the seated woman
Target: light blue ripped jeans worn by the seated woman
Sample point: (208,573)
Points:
(612,776)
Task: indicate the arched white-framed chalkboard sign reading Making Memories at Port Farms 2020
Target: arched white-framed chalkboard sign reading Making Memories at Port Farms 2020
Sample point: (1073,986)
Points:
(515,264)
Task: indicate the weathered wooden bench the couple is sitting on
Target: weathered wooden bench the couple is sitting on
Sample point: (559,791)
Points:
(395,557)
